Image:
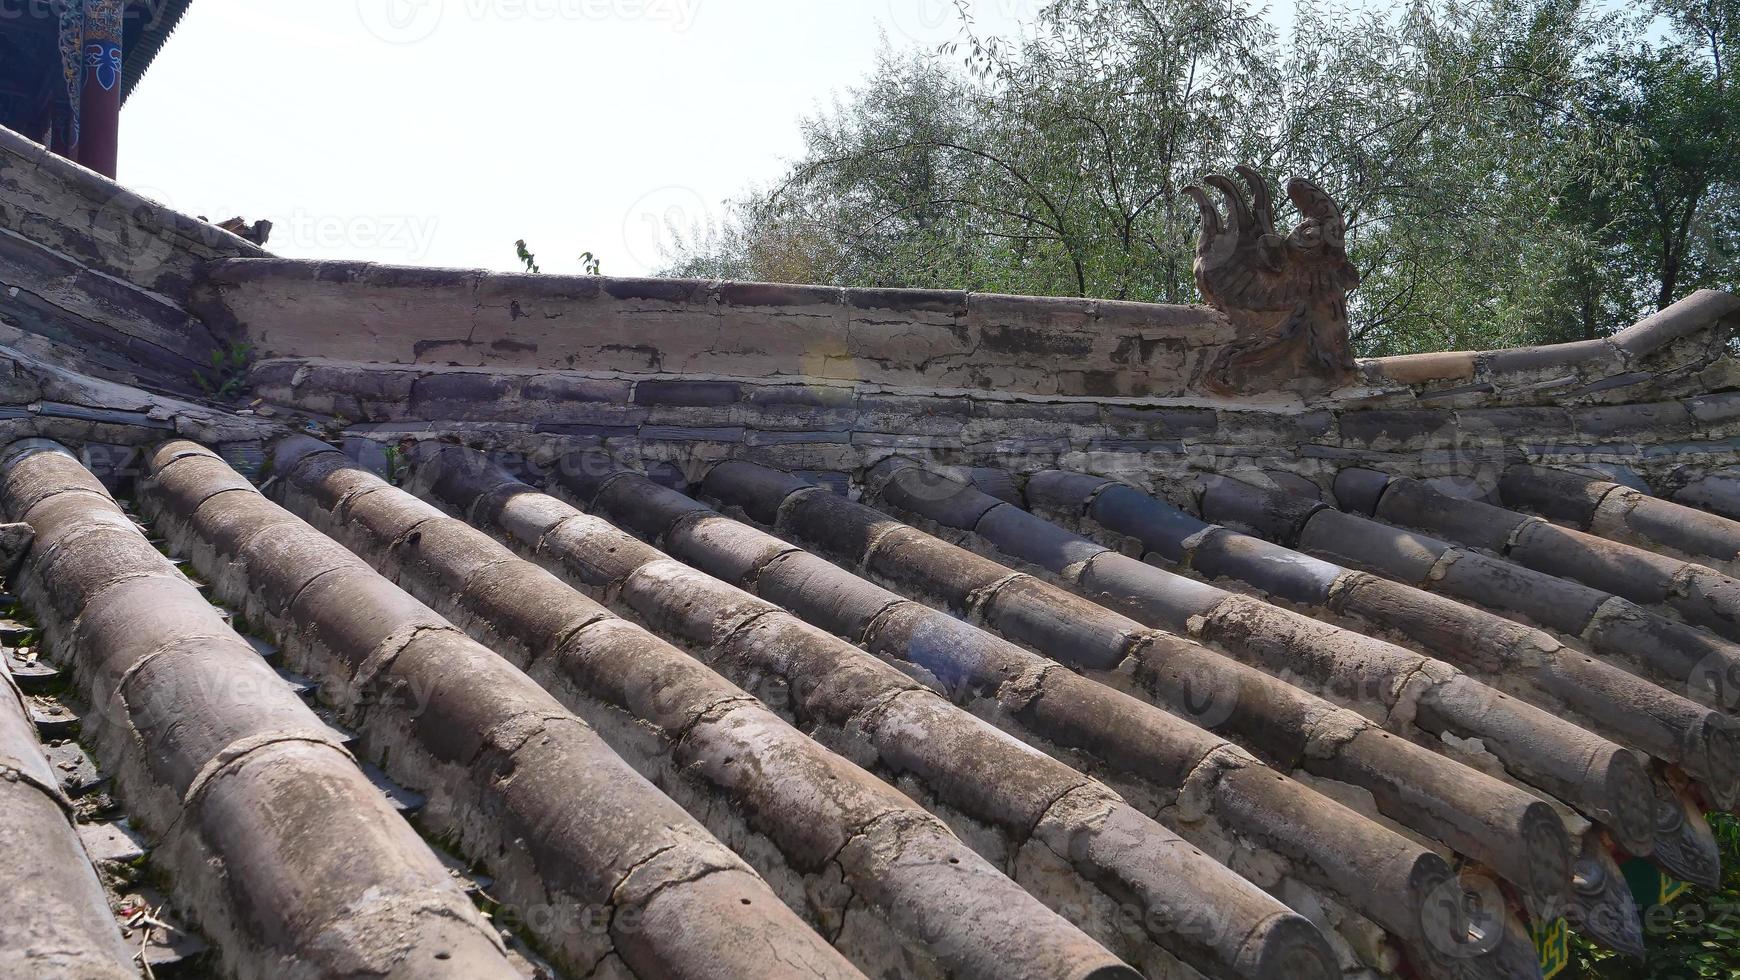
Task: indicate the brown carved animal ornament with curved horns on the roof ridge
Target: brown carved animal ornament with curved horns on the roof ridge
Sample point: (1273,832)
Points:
(1287,297)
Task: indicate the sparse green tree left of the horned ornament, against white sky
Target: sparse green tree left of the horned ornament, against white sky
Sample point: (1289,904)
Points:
(1045,166)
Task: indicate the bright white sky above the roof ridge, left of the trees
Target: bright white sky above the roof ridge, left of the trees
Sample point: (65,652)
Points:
(439,131)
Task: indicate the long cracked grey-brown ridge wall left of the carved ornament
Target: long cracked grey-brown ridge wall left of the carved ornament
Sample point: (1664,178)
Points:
(714,330)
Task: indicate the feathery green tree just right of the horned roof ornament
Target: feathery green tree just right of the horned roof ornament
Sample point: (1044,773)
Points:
(1412,119)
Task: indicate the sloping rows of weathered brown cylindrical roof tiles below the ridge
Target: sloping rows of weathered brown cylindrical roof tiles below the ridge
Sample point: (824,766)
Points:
(934,734)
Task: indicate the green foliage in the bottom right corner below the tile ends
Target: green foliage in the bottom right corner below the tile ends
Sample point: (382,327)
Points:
(1694,939)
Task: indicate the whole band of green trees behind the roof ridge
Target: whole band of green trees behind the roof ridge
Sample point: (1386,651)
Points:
(1515,171)
